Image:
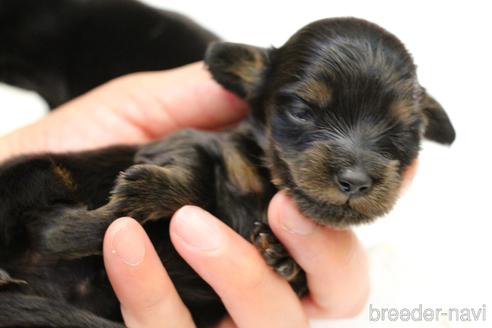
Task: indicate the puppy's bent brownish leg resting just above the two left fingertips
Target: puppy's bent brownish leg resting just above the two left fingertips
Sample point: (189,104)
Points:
(144,192)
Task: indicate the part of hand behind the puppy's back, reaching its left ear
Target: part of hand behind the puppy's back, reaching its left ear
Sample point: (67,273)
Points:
(131,109)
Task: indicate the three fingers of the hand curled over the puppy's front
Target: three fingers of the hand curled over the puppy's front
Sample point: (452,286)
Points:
(334,261)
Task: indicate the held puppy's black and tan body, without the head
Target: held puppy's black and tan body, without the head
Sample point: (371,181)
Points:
(221,172)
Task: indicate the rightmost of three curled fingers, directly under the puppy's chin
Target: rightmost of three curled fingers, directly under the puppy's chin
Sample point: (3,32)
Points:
(334,261)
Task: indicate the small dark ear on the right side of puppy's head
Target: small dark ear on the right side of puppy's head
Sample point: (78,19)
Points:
(438,125)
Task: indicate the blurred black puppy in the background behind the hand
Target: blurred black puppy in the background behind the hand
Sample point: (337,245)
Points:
(64,48)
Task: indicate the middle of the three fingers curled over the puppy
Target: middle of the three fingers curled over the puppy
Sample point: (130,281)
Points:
(252,293)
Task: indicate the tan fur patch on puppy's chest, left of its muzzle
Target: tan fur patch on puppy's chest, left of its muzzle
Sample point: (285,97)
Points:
(241,172)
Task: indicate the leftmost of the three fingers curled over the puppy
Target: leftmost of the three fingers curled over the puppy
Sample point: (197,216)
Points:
(146,294)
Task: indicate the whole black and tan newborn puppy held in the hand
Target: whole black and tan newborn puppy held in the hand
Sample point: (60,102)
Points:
(337,115)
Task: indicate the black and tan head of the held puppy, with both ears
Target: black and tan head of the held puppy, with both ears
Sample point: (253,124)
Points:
(343,112)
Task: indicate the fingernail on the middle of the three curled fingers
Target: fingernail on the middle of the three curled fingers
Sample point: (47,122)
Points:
(197,228)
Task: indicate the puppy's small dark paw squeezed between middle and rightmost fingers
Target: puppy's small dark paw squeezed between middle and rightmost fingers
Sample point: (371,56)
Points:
(277,257)
